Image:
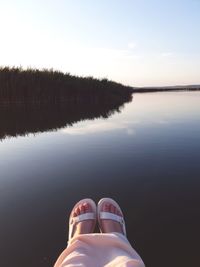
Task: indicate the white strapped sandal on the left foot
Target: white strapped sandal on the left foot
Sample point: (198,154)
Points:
(73,220)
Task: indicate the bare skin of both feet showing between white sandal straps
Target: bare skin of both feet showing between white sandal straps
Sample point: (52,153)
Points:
(88,226)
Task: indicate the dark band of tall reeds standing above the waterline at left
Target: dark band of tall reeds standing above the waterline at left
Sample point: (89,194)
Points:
(33,86)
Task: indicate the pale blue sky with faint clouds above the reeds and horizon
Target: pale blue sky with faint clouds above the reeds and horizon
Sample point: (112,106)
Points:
(135,42)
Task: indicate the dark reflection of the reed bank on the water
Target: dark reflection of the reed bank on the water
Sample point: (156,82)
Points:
(23,120)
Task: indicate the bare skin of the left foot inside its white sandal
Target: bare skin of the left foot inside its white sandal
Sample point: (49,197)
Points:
(83,227)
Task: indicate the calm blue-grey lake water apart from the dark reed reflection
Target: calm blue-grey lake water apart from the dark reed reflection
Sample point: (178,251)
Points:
(147,157)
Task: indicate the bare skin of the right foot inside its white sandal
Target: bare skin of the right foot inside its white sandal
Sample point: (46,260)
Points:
(109,226)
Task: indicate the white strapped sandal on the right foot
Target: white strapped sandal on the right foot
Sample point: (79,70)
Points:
(104,215)
